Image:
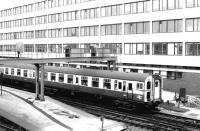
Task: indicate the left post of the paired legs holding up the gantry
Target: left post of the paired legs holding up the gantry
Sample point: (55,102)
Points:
(37,82)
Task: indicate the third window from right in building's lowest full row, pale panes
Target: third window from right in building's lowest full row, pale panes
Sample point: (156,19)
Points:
(136,48)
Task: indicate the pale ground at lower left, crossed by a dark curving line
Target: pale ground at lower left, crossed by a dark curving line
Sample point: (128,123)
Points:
(49,115)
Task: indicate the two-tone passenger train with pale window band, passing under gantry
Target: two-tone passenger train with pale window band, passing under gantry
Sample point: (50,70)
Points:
(120,87)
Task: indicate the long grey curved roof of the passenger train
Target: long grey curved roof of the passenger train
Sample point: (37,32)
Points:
(90,72)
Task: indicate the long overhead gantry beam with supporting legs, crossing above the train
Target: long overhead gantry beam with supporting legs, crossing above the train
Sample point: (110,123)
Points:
(40,63)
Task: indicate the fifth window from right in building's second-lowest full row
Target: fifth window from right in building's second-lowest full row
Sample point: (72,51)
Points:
(90,31)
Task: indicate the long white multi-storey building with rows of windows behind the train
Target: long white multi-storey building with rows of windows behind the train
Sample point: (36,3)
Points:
(147,36)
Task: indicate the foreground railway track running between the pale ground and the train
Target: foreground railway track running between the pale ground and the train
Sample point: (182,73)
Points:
(148,121)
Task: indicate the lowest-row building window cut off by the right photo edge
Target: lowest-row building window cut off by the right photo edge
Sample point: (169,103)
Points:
(193,48)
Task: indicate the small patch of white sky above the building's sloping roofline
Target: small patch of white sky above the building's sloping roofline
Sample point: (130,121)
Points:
(4,4)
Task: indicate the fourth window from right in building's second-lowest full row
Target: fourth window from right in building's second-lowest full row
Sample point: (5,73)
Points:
(114,29)
